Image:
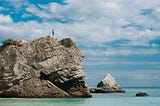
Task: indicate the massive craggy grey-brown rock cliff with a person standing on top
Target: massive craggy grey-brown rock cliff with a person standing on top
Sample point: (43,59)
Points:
(41,68)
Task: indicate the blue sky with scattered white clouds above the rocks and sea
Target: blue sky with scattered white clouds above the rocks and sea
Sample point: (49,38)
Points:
(121,37)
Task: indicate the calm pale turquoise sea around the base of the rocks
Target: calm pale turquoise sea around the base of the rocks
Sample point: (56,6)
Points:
(104,99)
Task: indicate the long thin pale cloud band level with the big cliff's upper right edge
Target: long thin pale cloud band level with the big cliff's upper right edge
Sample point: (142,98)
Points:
(110,51)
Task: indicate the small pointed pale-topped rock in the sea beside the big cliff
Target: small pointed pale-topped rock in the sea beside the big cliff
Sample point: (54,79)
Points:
(107,85)
